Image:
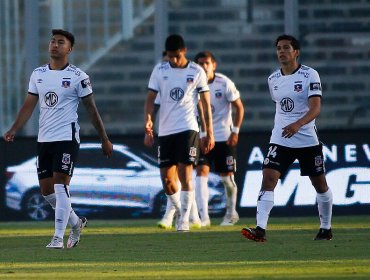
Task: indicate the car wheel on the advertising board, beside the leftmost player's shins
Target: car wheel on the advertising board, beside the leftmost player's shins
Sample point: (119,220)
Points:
(35,207)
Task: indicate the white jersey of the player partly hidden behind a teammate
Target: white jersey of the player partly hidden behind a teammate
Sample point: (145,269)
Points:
(223,92)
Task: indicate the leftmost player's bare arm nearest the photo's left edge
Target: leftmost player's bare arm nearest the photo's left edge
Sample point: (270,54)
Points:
(23,116)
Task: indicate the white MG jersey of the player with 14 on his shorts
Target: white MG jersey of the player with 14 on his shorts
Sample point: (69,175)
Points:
(290,94)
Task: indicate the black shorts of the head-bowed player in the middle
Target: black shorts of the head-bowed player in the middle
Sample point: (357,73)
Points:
(182,147)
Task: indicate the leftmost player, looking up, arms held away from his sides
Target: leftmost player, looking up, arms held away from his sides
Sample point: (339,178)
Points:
(58,87)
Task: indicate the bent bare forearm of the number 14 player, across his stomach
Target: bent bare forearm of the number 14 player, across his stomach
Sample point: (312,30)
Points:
(314,108)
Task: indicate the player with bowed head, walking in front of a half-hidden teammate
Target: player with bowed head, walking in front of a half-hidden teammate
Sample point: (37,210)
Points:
(178,82)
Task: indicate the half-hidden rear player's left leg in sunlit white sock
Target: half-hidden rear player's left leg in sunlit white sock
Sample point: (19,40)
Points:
(202,192)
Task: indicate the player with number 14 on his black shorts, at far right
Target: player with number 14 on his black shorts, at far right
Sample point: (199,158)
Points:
(296,91)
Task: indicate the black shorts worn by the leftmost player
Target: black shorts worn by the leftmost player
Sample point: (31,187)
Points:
(57,156)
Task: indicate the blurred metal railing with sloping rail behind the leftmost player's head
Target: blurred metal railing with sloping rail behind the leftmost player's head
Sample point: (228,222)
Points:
(97,24)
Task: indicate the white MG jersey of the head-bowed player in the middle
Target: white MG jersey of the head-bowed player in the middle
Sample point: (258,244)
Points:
(178,89)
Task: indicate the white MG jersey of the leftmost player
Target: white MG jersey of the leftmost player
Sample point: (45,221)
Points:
(59,93)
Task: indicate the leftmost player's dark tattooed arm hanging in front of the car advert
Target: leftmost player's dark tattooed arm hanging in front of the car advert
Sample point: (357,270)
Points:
(97,122)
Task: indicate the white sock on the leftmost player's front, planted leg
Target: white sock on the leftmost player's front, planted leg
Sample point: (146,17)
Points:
(62,208)
